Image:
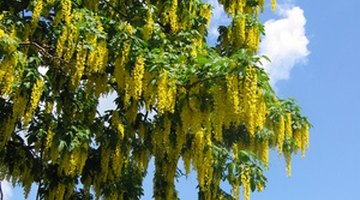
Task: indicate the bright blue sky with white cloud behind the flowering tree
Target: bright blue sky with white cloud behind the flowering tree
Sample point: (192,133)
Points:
(314,50)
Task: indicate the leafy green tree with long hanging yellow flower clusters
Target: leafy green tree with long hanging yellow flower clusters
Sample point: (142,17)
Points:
(177,98)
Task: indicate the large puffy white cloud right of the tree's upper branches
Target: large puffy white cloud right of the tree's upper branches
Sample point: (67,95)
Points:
(285,42)
